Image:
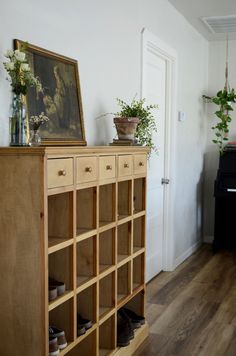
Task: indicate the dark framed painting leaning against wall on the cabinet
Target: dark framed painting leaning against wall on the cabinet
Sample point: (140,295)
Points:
(60,98)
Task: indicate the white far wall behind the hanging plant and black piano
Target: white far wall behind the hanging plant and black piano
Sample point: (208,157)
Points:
(217,58)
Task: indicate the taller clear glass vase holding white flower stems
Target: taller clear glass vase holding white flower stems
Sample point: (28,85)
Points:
(18,122)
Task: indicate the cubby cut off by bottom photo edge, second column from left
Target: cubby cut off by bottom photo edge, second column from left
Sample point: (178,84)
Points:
(86,347)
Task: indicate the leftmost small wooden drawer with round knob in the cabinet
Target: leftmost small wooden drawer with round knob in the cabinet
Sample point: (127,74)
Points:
(60,172)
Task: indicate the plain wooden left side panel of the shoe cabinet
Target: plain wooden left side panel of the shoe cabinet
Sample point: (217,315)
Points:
(22,256)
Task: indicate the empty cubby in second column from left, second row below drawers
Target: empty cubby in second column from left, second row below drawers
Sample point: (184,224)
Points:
(86,259)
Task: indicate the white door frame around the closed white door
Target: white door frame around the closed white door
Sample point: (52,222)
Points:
(152,43)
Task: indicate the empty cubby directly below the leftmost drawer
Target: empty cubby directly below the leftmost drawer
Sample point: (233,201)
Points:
(60,218)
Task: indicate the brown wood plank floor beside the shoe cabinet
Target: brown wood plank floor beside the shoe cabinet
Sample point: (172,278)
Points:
(192,311)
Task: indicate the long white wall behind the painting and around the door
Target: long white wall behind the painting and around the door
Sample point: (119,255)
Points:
(105,37)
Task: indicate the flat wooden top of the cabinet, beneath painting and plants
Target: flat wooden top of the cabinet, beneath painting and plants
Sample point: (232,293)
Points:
(57,150)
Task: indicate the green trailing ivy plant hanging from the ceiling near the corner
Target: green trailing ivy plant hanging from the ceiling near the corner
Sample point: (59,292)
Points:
(224,99)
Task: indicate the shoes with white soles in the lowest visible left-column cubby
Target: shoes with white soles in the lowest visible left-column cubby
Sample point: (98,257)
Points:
(57,340)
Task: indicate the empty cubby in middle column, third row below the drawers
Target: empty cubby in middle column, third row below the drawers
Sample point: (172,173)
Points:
(106,294)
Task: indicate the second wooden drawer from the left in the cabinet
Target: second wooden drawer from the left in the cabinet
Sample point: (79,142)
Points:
(86,169)
